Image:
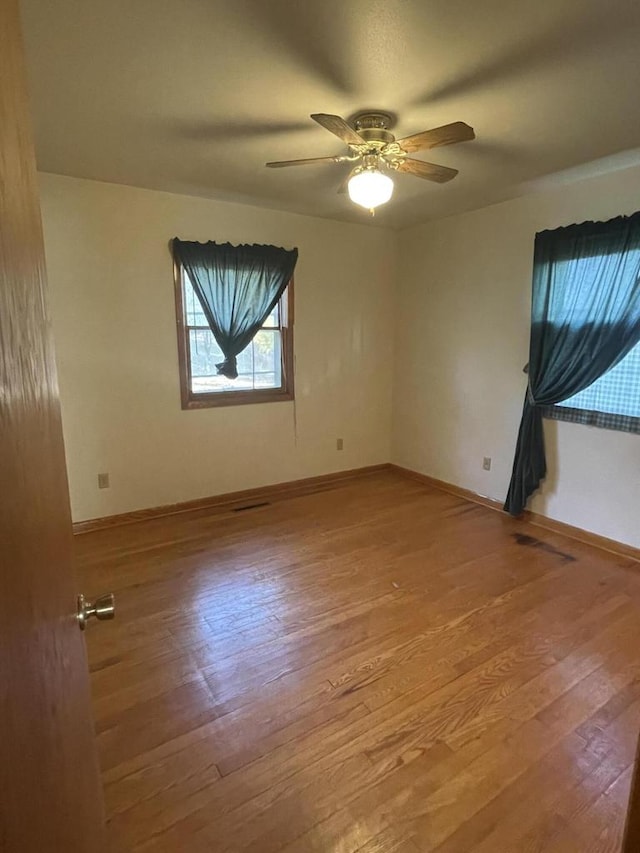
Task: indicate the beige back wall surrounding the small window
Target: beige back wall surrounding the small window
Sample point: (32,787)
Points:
(113,315)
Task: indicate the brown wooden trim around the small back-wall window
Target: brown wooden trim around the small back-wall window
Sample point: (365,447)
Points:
(191,400)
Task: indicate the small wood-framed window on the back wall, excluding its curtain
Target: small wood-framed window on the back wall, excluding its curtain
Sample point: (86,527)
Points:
(265,366)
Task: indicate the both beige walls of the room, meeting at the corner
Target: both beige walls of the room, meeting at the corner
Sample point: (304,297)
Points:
(459,290)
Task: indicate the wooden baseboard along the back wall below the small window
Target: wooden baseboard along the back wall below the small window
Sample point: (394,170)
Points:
(232,500)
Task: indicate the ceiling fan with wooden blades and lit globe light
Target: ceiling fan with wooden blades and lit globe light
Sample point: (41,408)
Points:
(374,150)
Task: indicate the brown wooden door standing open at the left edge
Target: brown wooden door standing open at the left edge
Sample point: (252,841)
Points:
(50,796)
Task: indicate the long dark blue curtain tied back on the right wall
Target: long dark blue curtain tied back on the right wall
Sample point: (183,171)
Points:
(585,317)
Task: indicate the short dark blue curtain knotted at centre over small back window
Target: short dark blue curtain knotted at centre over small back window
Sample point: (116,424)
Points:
(238,287)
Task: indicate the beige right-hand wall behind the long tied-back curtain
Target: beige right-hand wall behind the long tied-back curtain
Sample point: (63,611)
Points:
(462,340)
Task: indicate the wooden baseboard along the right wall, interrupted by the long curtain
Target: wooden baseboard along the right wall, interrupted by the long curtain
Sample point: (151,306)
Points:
(621,549)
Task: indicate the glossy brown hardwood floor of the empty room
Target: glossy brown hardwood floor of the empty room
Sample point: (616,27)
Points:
(382,668)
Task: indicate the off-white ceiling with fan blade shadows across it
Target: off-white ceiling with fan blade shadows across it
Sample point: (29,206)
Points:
(194,96)
